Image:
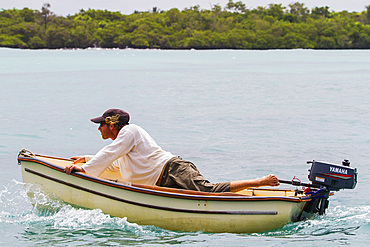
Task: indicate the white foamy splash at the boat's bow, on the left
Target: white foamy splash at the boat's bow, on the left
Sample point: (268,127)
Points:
(39,213)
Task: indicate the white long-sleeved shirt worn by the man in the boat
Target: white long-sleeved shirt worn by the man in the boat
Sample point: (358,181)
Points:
(137,155)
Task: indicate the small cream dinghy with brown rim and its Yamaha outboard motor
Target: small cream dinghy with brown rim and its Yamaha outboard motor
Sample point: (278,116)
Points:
(246,211)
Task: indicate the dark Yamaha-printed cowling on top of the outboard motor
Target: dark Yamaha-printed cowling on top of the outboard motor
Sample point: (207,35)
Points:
(332,176)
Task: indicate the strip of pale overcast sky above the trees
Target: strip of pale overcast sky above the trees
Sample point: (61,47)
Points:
(66,7)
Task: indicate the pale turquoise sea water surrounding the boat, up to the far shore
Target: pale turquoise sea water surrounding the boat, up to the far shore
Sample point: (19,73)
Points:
(235,114)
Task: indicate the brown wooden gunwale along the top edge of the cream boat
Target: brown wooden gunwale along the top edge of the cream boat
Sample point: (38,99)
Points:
(164,191)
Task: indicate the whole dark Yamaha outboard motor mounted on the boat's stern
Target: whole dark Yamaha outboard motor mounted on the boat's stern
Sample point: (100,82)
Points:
(328,177)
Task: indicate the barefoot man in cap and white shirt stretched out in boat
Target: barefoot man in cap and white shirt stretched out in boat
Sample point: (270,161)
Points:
(140,160)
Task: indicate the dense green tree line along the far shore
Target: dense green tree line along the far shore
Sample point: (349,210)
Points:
(230,27)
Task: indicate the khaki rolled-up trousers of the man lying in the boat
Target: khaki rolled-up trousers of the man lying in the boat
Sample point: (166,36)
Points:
(182,174)
